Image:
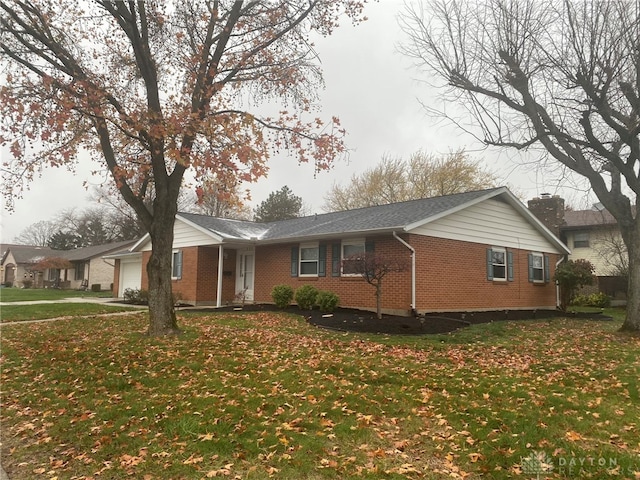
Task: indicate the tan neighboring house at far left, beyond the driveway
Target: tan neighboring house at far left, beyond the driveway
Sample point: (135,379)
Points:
(89,267)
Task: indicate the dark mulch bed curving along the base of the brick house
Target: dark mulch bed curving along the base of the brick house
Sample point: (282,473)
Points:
(353,320)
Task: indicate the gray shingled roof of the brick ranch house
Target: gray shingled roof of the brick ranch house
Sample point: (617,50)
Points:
(379,218)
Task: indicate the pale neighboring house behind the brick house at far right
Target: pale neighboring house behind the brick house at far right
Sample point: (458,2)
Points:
(592,235)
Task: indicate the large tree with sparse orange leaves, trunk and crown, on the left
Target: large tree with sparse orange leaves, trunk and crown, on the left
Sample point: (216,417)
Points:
(157,89)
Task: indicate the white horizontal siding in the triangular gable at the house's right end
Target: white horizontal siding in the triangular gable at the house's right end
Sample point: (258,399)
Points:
(492,223)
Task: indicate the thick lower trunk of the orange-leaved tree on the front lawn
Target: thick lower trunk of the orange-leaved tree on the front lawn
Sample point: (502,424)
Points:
(162,315)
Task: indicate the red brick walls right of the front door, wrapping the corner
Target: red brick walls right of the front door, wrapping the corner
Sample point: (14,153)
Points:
(450,275)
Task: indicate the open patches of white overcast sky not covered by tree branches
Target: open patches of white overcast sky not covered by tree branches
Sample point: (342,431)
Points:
(376,94)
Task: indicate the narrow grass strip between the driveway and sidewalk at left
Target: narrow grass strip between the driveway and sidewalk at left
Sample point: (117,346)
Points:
(20,313)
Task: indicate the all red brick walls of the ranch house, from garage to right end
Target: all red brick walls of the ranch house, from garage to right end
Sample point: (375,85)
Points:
(450,275)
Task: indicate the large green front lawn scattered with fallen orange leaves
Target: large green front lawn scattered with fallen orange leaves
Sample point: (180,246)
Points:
(259,395)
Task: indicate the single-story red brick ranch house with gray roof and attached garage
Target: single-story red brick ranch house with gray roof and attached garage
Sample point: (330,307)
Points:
(475,251)
